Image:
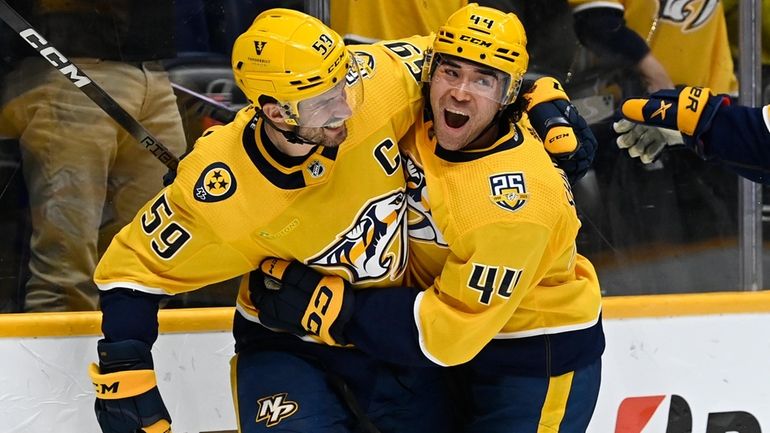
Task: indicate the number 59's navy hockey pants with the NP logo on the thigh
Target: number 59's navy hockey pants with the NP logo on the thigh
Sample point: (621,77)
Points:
(281,392)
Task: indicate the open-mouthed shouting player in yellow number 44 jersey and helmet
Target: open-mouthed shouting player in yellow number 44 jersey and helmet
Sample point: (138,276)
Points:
(496,288)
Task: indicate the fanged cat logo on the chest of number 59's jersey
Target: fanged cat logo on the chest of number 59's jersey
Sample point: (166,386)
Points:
(364,249)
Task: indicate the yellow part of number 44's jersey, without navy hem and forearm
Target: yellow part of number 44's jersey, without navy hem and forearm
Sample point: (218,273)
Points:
(505,225)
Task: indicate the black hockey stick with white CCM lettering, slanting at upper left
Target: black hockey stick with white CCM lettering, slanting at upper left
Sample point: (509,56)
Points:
(86,85)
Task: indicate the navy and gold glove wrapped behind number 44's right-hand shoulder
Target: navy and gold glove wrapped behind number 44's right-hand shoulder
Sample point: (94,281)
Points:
(566,135)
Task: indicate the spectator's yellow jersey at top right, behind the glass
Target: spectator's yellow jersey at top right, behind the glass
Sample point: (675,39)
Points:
(689,38)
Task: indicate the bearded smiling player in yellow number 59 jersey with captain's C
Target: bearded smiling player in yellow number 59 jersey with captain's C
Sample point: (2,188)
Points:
(309,171)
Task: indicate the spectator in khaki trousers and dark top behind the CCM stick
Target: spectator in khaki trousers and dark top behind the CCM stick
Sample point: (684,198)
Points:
(85,175)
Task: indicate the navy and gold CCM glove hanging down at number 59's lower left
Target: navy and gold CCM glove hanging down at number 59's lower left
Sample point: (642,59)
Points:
(127,397)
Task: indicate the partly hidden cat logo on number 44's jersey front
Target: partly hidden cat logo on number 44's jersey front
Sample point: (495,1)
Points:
(421,225)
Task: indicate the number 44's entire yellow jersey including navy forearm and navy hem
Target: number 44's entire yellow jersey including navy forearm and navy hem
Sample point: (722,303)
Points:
(492,244)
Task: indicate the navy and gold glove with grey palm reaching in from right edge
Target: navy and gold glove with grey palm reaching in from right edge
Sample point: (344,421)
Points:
(689,111)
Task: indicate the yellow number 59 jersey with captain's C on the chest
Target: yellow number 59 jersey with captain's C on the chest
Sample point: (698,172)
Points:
(236,200)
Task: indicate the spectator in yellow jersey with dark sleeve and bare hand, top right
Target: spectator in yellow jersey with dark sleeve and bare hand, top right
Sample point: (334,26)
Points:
(665,39)
